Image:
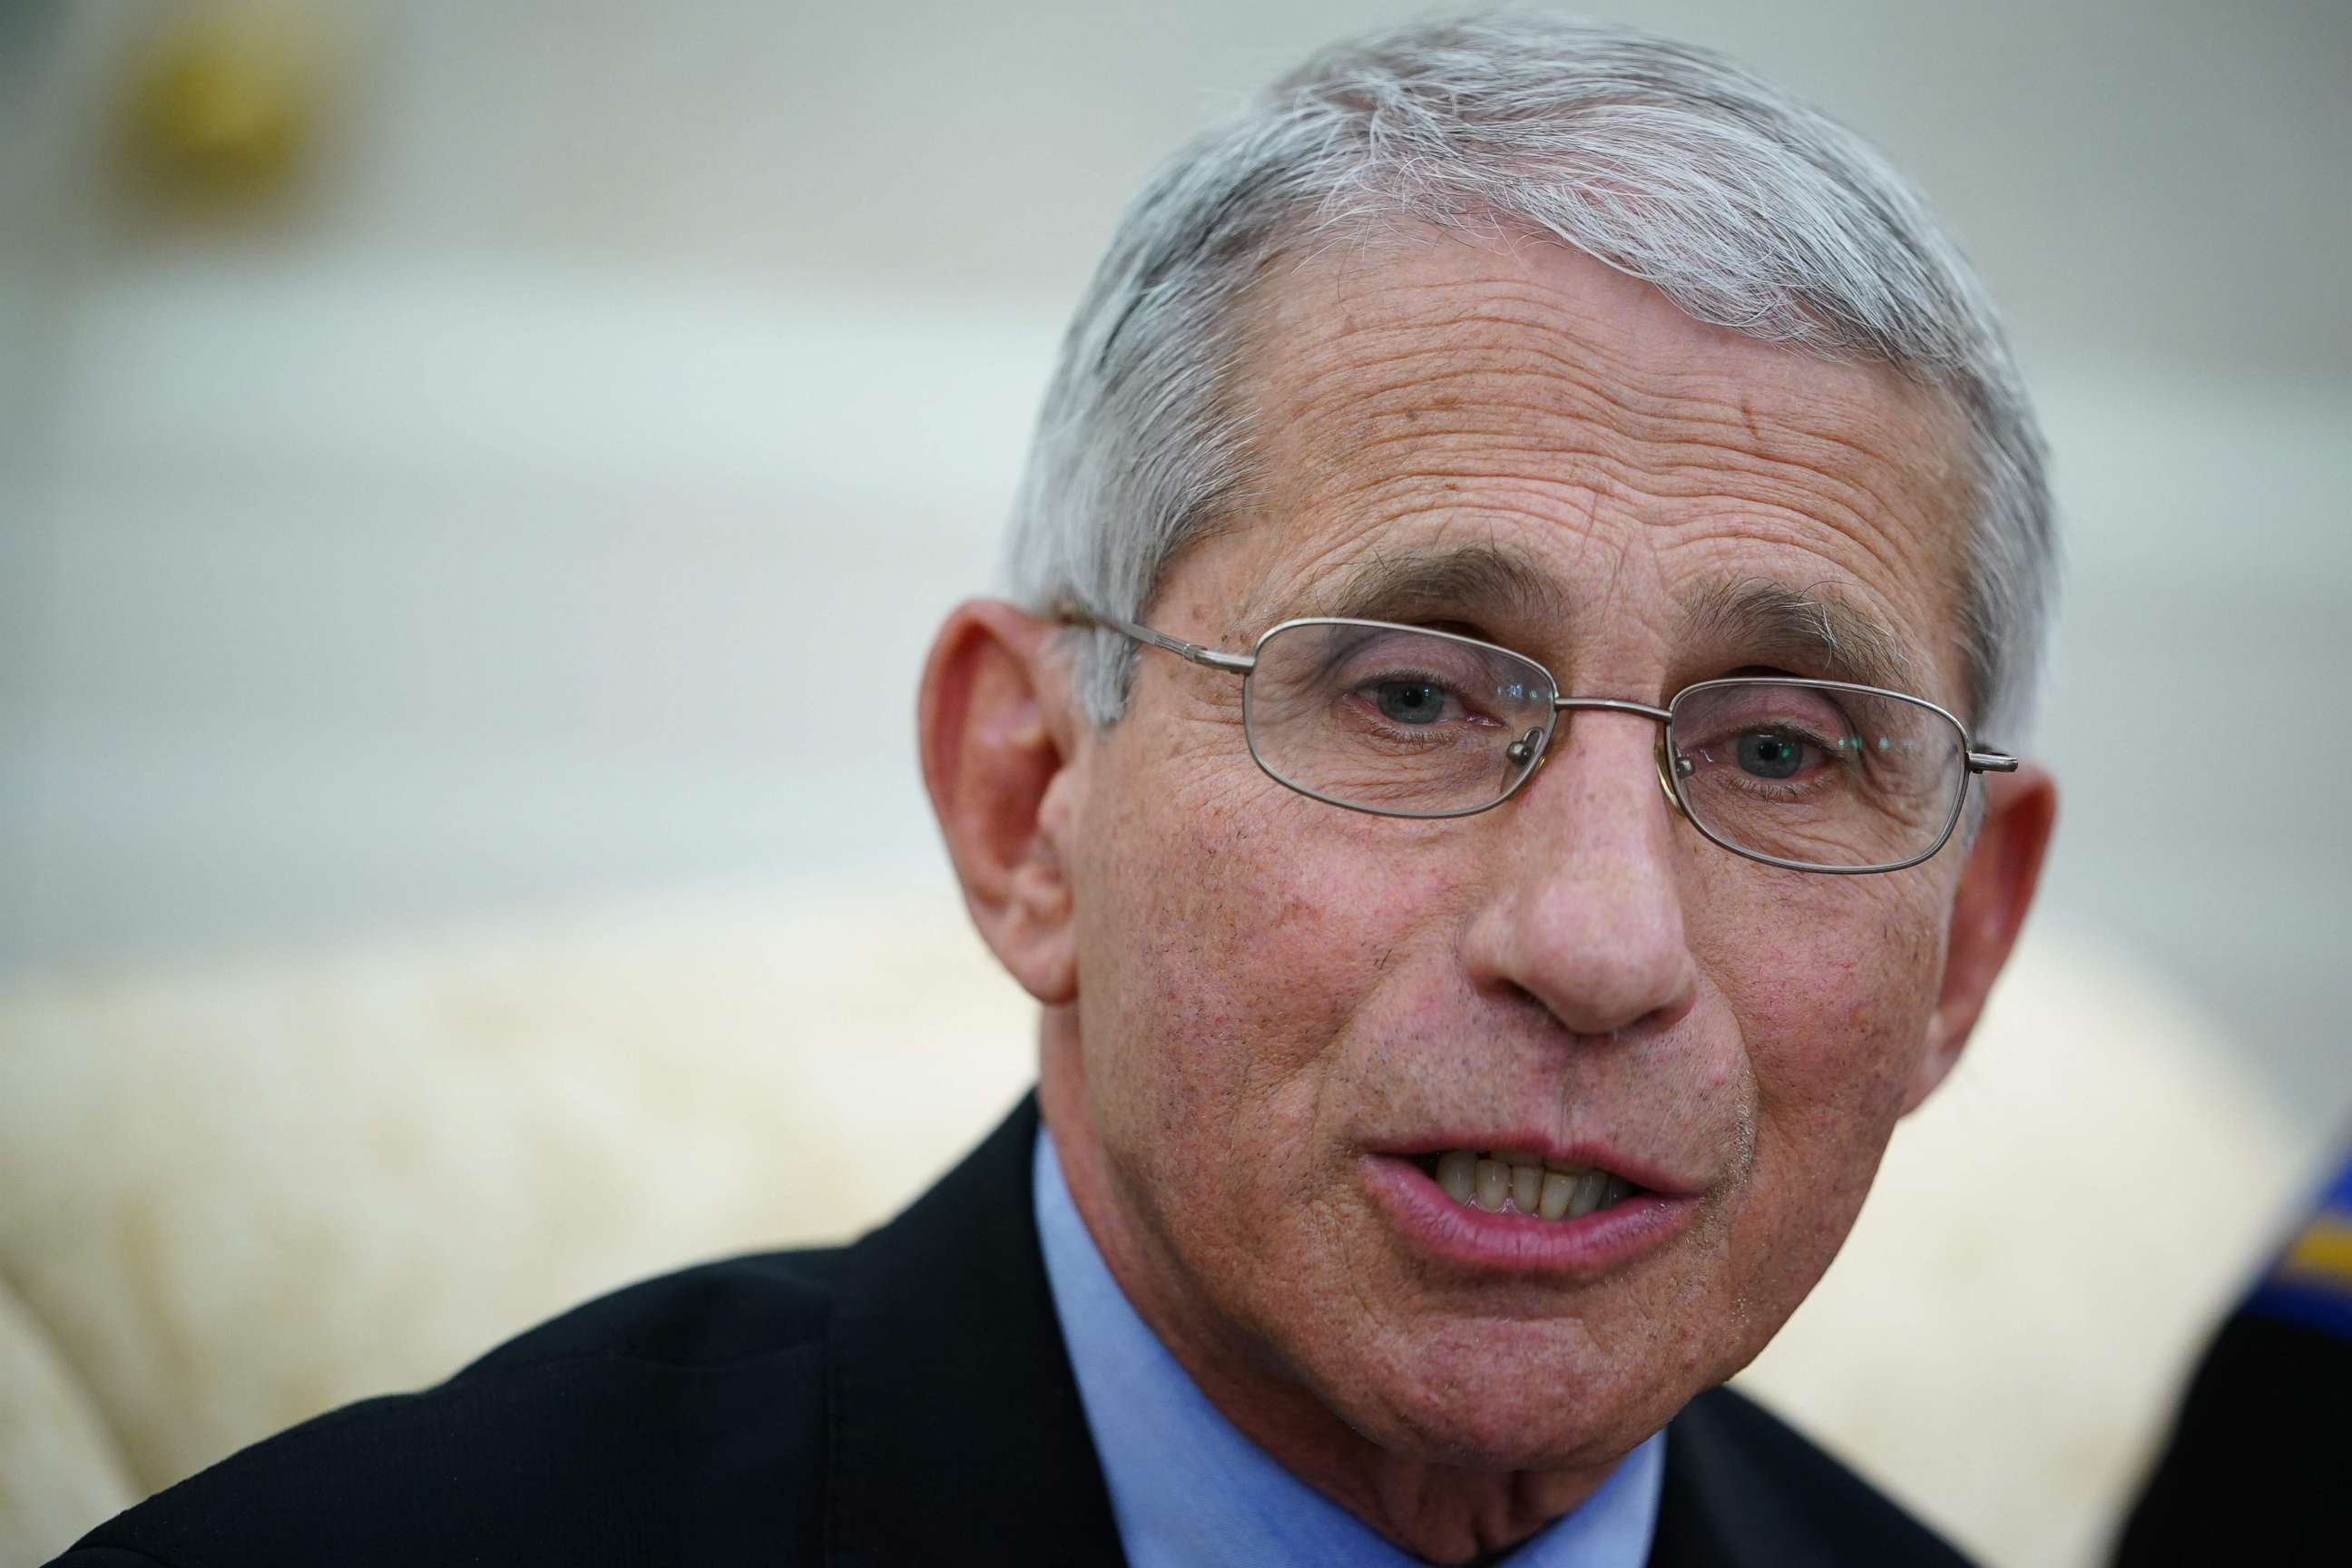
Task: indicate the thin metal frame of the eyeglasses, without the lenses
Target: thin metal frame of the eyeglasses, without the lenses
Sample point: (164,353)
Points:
(1669,777)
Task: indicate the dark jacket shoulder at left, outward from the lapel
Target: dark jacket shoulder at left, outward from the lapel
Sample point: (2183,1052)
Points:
(664,1421)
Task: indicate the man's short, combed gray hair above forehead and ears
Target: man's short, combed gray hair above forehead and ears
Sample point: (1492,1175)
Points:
(1746,208)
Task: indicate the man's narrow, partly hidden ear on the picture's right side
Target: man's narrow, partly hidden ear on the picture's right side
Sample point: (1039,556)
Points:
(1989,909)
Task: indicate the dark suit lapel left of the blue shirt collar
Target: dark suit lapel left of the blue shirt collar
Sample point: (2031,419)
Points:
(956,1428)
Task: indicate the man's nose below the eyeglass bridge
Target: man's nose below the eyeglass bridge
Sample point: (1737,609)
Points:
(1584,911)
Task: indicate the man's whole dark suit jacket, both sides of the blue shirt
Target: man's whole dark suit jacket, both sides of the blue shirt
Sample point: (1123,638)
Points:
(904,1400)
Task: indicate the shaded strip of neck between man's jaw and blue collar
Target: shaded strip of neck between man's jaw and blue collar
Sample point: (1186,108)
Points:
(1438,1513)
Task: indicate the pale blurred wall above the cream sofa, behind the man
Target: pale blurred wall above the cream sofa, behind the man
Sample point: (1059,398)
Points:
(559,500)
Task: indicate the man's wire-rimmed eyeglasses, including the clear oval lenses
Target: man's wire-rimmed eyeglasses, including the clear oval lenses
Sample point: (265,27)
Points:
(1405,721)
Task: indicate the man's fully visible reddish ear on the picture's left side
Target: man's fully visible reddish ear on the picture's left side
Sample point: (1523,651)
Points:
(998,737)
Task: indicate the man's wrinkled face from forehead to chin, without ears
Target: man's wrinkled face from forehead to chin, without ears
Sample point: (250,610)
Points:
(1288,1010)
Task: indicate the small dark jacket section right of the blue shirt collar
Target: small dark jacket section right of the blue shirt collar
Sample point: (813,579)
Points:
(1744,1487)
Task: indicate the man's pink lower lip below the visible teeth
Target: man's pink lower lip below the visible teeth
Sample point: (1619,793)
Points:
(1523,1245)
